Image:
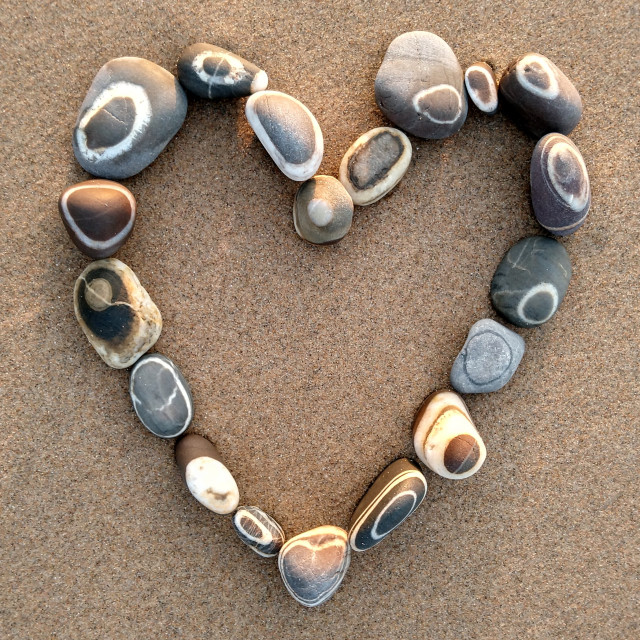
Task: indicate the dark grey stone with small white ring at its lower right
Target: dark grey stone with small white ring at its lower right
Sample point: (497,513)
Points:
(531,281)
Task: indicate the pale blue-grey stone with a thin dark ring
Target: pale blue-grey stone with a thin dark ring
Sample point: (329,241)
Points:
(489,358)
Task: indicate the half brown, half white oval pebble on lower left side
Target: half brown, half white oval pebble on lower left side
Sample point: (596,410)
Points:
(206,476)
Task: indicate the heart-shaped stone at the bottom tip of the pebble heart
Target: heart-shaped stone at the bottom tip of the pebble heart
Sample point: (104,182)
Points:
(314,563)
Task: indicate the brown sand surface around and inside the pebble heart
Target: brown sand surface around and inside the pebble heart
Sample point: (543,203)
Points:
(307,364)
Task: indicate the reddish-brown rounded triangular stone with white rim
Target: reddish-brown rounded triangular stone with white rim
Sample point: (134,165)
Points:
(98,215)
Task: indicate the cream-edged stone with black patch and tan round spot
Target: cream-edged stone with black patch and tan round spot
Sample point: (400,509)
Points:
(115,312)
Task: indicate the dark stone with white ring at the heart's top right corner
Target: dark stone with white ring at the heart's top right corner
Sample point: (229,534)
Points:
(539,97)
